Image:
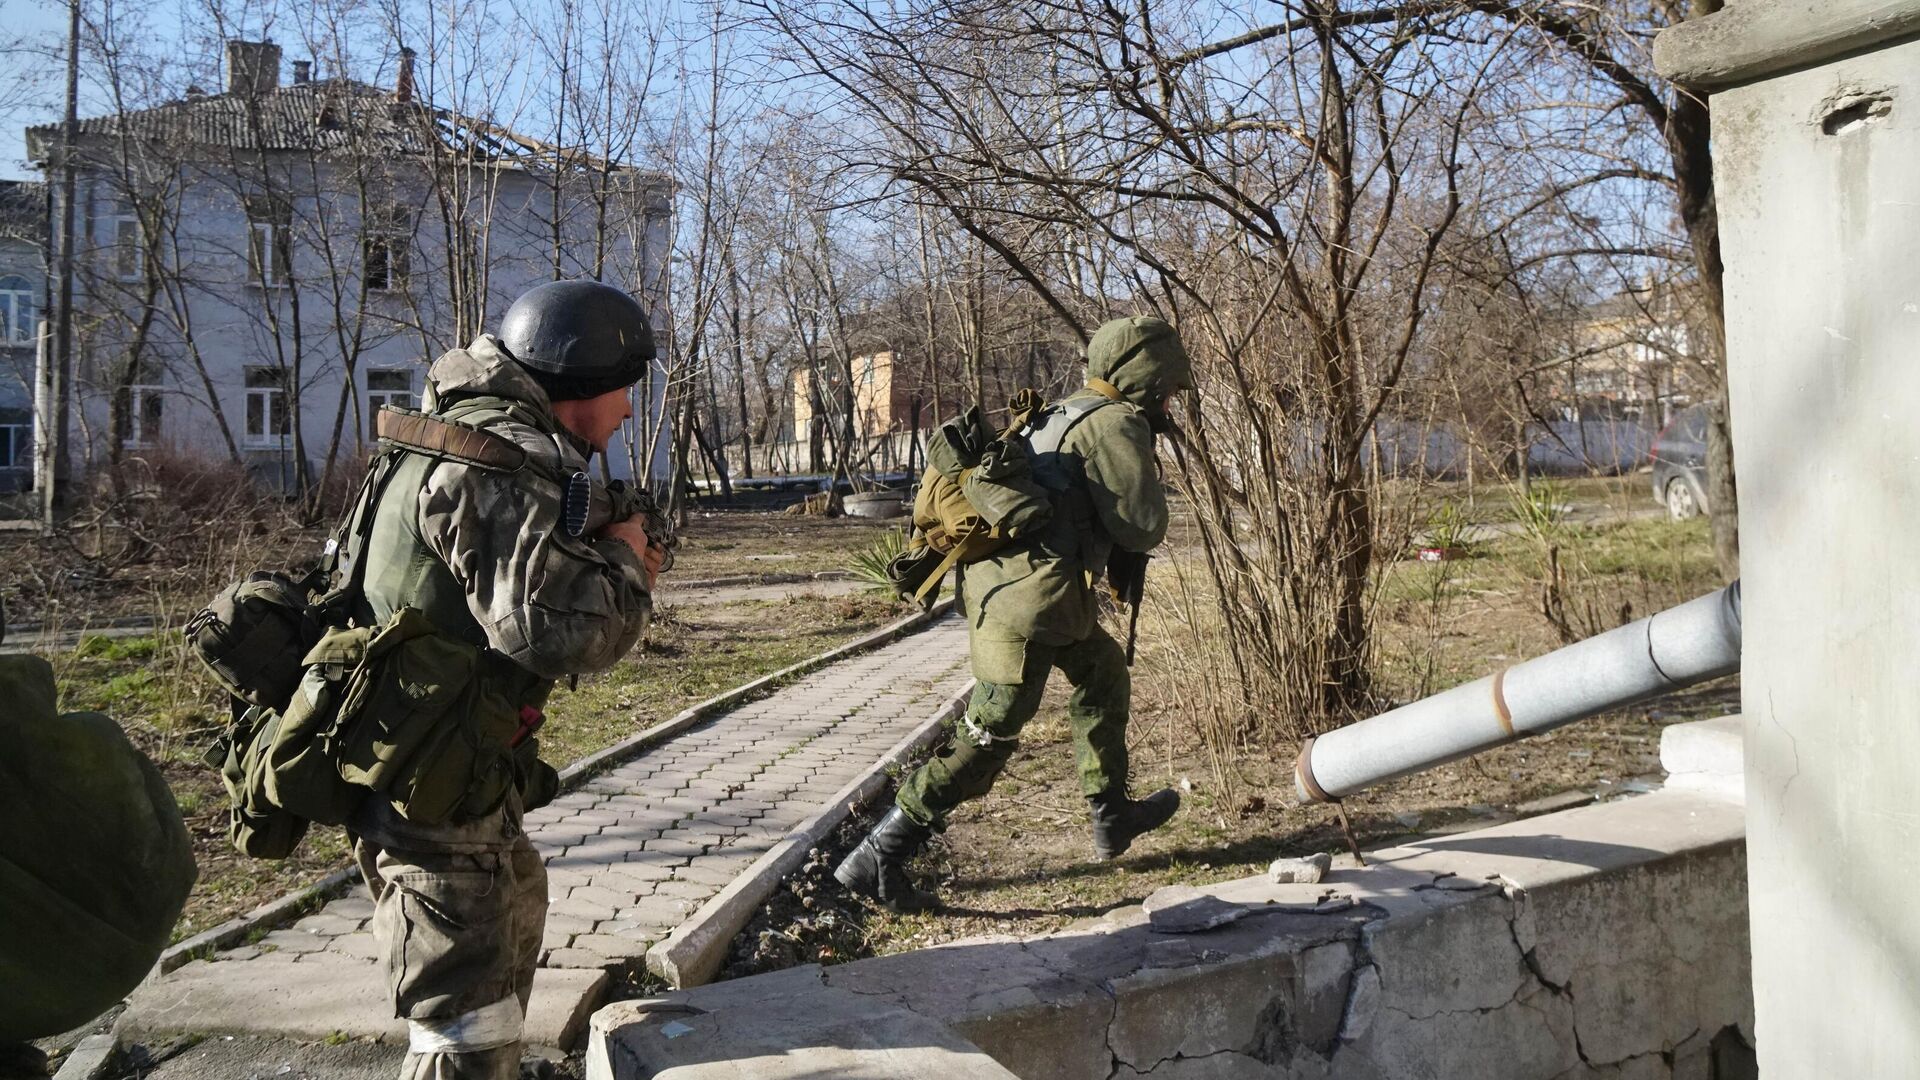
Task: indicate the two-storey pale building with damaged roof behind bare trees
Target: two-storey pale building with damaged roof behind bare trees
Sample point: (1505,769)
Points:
(262,268)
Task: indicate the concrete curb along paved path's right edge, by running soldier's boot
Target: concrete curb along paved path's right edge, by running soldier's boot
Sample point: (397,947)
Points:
(694,952)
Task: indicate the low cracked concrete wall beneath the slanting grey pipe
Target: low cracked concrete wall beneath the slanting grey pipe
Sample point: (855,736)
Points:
(1602,943)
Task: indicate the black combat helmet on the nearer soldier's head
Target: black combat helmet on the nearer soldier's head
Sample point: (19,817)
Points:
(579,339)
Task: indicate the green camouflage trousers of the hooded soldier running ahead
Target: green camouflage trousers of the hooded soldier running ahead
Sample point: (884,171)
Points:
(988,735)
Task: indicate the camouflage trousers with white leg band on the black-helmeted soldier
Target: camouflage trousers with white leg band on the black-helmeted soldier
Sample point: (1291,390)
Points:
(460,935)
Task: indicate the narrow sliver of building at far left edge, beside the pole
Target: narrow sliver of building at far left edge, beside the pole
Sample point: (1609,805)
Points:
(22,307)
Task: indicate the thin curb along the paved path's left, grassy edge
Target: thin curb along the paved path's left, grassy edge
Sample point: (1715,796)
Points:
(293,906)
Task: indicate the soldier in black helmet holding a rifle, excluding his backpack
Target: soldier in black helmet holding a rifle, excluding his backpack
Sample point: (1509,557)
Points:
(489,558)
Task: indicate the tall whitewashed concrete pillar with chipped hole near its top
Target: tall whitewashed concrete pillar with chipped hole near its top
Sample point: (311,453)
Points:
(1817,162)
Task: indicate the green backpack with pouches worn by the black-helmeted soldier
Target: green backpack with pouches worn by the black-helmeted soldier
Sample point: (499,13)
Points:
(329,714)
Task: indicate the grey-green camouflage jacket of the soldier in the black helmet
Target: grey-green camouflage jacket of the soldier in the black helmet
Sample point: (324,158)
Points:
(485,556)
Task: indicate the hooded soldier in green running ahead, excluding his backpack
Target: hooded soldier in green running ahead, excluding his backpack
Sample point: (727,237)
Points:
(1032,608)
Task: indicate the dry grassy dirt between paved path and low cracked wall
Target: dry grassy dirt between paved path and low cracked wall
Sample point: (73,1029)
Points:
(1020,860)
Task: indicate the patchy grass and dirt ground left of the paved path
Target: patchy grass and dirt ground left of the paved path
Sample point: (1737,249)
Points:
(172,710)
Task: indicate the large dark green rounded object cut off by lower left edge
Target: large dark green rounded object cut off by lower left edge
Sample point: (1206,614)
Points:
(95,860)
